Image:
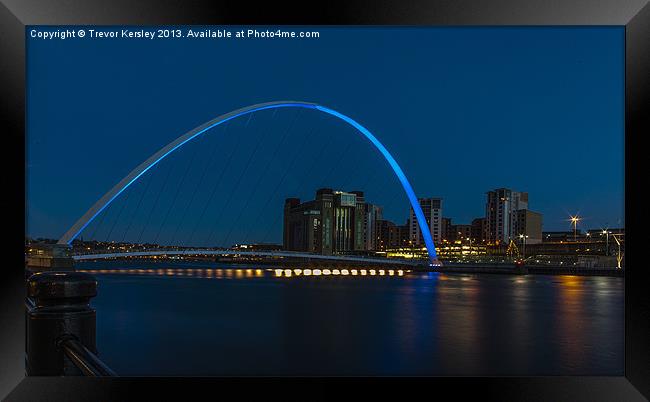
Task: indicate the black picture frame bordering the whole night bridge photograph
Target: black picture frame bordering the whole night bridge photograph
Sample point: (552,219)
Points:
(16,14)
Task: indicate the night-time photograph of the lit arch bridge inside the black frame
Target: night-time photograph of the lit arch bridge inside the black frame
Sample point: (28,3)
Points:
(334,201)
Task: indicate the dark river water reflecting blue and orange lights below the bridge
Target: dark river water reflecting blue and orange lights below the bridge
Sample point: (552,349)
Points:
(210,319)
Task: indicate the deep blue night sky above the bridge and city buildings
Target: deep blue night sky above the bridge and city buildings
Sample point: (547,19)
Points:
(463,110)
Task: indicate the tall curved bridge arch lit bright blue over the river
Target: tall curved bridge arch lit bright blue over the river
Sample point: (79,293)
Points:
(103,202)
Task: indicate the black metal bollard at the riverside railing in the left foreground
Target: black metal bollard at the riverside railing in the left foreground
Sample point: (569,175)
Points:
(57,311)
